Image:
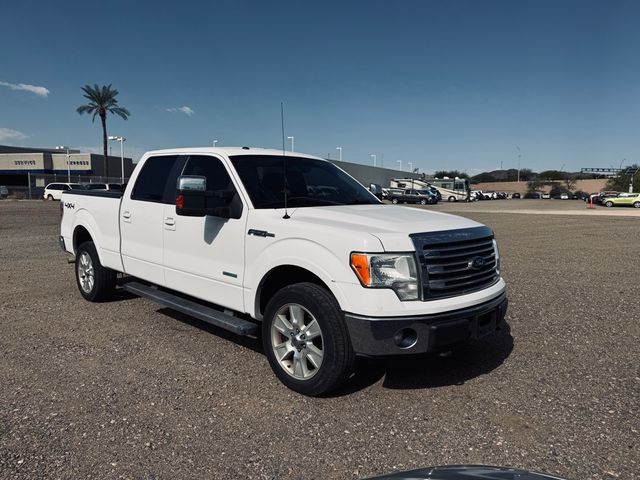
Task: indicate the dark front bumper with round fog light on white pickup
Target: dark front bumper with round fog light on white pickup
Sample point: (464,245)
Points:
(385,336)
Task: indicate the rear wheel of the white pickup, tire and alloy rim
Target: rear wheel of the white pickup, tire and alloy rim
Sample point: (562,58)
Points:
(95,282)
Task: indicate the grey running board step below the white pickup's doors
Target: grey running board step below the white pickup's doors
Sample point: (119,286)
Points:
(234,324)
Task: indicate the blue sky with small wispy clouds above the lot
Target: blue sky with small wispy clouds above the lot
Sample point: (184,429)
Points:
(441,84)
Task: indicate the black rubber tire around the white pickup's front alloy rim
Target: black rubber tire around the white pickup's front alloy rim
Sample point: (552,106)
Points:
(338,357)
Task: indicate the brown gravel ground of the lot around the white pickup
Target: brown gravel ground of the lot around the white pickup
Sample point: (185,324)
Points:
(128,389)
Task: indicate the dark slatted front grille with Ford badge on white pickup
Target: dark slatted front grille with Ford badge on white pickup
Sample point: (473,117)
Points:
(456,262)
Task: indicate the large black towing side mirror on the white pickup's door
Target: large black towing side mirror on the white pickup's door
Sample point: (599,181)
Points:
(194,200)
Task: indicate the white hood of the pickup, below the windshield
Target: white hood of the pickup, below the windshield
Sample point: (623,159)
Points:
(391,224)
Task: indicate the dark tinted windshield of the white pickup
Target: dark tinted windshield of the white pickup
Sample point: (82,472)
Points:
(309,182)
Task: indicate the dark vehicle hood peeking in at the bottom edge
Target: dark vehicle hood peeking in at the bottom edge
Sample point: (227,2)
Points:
(467,472)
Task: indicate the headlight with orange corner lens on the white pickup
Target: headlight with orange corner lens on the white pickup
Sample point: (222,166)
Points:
(397,271)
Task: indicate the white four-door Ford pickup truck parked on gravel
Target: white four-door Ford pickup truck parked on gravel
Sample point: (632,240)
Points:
(248,238)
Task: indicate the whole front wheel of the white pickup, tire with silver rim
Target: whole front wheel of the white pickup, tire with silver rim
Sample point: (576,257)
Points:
(306,340)
